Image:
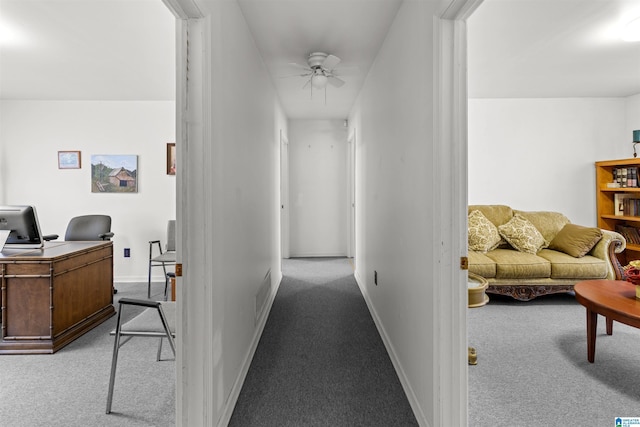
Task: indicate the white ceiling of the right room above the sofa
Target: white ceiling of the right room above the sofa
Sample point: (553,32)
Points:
(552,48)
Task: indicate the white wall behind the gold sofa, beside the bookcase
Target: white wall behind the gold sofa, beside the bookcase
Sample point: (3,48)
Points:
(539,154)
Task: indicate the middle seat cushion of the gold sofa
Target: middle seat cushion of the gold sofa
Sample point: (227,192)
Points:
(512,264)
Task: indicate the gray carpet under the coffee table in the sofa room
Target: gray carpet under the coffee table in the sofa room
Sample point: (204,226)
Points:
(533,370)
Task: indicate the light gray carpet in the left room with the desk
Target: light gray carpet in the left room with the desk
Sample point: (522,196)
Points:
(69,388)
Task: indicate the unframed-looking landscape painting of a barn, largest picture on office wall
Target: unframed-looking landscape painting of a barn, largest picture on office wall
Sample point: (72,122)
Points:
(114,173)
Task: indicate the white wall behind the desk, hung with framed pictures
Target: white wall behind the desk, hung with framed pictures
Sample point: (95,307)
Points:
(33,132)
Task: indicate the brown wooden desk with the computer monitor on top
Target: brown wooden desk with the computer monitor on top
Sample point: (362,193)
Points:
(53,295)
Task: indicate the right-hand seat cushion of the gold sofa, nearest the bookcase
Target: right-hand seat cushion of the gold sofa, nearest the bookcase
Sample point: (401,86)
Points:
(564,266)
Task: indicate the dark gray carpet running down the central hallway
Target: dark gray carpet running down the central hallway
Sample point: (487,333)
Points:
(321,361)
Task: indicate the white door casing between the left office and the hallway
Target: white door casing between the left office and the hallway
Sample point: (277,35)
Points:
(198,312)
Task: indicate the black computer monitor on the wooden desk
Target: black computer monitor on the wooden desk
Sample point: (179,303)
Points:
(23,226)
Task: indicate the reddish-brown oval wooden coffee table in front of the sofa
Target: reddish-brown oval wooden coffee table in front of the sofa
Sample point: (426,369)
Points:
(614,299)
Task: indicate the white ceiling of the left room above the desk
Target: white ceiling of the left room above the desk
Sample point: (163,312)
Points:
(87,50)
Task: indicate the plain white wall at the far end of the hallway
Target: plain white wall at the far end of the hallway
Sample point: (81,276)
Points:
(318,188)
